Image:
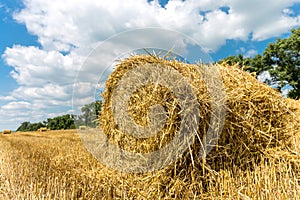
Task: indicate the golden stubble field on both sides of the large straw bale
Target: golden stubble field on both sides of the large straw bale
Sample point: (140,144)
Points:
(55,165)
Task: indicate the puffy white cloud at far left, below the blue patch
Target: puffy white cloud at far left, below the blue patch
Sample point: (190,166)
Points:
(33,66)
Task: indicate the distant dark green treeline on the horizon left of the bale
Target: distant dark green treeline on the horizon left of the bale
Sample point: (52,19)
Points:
(89,116)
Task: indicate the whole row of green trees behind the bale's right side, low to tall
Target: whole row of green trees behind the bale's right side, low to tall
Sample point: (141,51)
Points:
(281,59)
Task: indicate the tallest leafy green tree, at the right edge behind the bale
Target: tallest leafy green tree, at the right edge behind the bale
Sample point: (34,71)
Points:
(282,58)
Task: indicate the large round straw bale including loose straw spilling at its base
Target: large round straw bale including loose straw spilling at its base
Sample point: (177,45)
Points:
(257,118)
